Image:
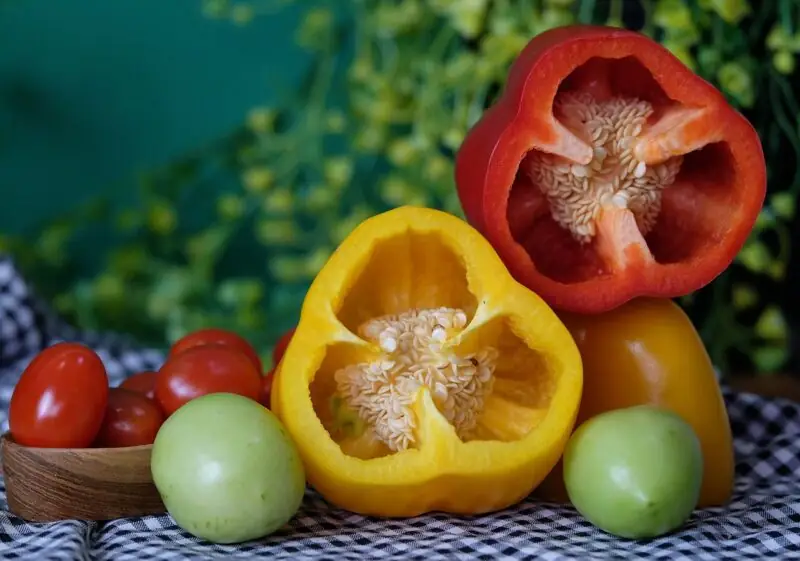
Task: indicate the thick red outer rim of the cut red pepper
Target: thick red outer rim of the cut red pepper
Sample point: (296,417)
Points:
(488,160)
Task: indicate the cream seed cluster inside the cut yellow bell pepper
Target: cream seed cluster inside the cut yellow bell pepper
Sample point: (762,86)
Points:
(415,354)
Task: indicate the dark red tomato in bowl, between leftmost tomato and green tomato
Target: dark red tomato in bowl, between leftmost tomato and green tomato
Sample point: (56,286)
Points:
(131,419)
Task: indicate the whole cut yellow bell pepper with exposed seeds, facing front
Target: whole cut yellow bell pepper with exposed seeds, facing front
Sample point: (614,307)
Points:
(422,376)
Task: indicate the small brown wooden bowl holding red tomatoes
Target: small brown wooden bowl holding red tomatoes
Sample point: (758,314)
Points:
(49,484)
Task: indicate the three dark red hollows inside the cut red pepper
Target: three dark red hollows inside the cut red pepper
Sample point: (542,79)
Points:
(695,208)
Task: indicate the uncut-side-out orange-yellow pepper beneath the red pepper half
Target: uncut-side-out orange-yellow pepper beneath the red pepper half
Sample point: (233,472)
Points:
(648,352)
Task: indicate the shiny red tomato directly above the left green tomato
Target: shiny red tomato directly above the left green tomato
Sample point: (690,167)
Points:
(202,370)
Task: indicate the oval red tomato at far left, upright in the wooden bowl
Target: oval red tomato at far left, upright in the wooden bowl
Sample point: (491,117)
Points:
(60,399)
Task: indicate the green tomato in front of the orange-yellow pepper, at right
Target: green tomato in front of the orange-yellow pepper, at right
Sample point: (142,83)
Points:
(634,472)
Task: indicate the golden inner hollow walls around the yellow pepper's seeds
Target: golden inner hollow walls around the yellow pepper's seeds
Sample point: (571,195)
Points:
(419,270)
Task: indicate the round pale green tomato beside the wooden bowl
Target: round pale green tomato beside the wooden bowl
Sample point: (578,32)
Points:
(226,469)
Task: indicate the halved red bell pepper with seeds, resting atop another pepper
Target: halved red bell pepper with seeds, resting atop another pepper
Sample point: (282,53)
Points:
(608,170)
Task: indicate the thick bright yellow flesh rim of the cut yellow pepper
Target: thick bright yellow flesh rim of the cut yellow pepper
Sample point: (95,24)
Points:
(442,473)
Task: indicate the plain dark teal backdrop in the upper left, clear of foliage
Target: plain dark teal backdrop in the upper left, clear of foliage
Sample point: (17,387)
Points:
(92,92)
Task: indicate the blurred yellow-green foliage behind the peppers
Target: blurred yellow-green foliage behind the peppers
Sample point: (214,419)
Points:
(391,91)
